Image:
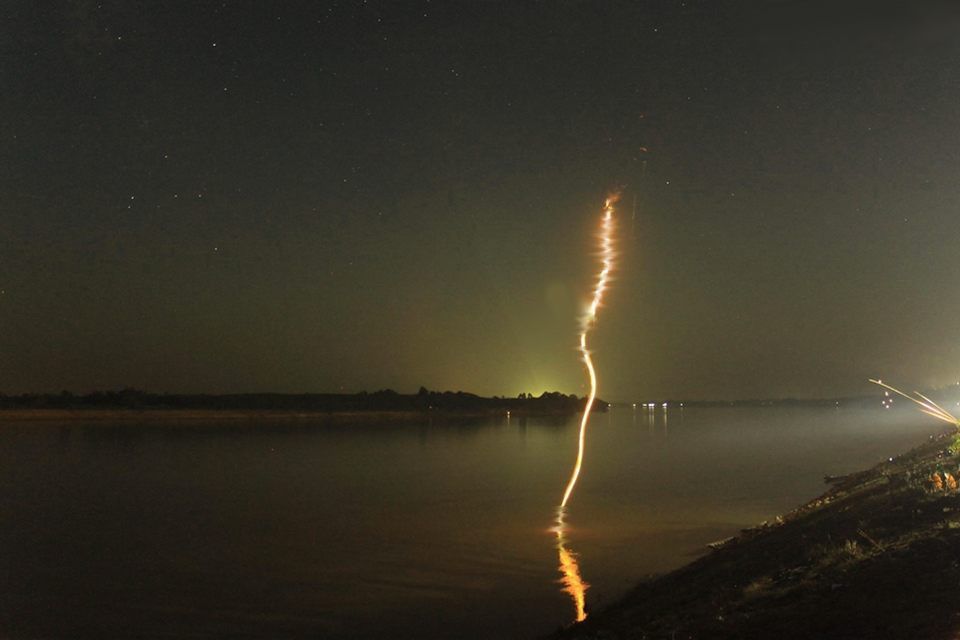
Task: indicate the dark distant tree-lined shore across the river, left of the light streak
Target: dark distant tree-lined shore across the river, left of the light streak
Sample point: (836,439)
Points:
(383,400)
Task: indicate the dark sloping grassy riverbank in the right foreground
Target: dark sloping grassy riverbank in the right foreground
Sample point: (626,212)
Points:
(877,556)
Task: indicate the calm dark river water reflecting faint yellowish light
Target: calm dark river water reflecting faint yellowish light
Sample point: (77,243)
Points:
(413,530)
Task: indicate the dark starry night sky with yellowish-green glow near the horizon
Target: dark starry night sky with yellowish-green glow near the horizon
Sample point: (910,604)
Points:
(324,196)
